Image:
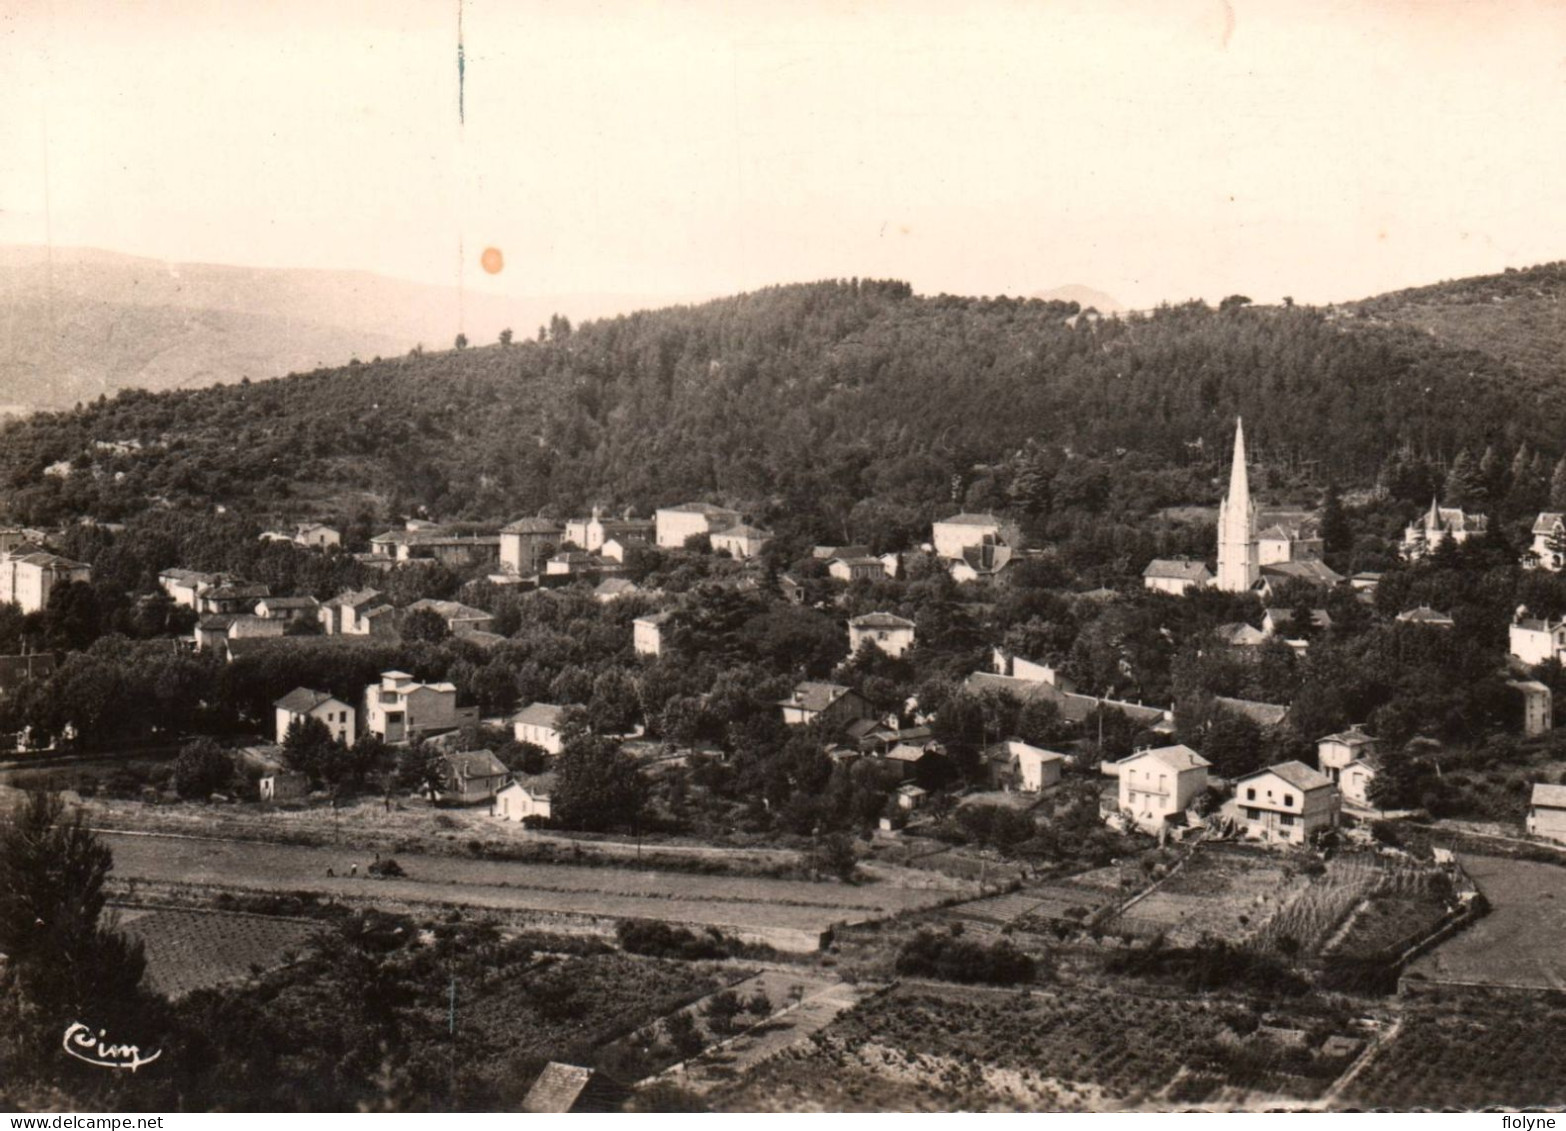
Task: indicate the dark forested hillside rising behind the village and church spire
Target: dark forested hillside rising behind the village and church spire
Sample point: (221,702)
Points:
(837,403)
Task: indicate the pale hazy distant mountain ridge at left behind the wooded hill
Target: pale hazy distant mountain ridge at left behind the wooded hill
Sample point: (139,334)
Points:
(79,323)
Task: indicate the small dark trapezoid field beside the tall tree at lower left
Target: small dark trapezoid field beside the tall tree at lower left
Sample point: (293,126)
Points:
(190,950)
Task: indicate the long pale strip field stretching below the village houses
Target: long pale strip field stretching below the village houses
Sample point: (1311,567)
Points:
(788,914)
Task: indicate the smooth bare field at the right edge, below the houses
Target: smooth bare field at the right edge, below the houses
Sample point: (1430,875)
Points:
(1520,942)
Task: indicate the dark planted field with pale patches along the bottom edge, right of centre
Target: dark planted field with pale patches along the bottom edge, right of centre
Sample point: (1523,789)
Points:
(928,1047)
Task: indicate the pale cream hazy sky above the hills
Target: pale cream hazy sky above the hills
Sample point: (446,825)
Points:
(1156,150)
